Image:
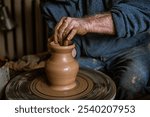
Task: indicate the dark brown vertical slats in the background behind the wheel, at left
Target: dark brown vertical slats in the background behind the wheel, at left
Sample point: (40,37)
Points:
(30,34)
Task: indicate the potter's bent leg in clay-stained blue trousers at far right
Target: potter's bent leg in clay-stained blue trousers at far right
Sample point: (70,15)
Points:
(130,70)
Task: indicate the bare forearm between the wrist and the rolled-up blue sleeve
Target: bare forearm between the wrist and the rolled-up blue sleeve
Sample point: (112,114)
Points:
(101,23)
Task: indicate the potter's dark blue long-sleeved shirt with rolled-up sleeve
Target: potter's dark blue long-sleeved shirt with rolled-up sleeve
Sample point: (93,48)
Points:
(131,19)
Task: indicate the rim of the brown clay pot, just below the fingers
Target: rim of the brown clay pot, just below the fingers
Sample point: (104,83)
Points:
(57,46)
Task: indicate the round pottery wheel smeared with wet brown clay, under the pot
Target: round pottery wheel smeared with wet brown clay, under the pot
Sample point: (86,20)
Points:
(91,84)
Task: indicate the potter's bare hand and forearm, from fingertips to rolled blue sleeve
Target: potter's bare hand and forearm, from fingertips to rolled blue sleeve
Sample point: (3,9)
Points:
(68,27)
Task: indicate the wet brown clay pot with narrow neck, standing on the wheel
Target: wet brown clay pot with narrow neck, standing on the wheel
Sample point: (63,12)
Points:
(61,67)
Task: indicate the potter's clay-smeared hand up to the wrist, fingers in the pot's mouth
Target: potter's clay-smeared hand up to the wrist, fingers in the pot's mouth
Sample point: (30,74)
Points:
(68,27)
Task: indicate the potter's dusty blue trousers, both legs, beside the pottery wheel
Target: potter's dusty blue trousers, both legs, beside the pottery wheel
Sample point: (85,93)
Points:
(129,68)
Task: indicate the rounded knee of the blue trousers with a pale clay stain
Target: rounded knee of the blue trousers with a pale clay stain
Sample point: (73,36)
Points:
(133,80)
